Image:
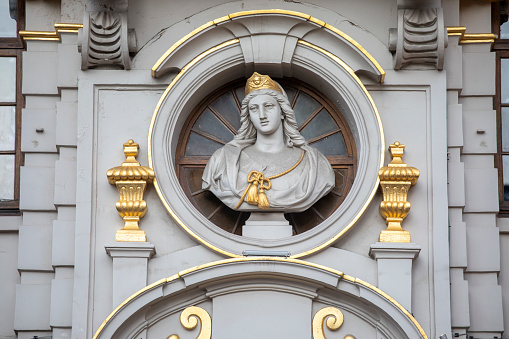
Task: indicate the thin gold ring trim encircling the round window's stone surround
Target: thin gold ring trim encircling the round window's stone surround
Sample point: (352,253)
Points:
(223,45)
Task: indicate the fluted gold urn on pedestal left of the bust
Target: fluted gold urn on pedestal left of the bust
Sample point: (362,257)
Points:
(131,180)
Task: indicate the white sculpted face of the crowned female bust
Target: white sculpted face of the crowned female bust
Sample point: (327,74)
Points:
(265,114)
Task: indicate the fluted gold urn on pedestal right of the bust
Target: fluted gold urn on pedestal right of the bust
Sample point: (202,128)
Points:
(395,181)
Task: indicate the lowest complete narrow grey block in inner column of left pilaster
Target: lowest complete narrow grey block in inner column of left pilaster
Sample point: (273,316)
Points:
(61,302)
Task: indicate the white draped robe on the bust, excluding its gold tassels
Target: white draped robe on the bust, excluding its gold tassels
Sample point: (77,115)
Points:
(226,176)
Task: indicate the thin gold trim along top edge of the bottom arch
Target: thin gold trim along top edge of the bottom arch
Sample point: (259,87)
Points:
(182,273)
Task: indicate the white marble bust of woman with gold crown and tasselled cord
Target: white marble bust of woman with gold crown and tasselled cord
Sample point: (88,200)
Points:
(268,166)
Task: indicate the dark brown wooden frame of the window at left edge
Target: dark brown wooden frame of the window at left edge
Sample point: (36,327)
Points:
(13,47)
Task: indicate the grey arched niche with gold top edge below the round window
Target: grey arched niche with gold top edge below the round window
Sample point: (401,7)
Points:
(289,292)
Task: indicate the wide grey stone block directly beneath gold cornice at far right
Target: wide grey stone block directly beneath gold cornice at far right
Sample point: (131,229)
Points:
(478,74)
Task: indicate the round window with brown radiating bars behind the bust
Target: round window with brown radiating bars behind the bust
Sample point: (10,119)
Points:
(215,121)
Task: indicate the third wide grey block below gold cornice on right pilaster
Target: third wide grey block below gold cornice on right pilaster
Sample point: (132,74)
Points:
(481,190)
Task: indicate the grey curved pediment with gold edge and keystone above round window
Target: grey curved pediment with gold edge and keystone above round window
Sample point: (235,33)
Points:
(276,33)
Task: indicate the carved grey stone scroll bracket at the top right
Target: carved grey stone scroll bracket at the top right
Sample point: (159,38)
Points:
(420,38)
